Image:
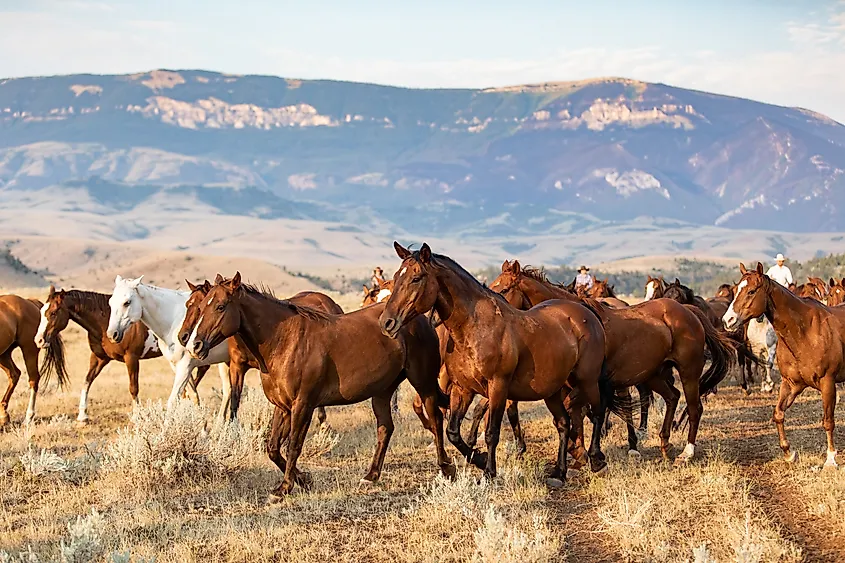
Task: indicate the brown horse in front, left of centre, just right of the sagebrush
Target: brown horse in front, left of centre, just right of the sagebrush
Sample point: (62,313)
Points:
(309,358)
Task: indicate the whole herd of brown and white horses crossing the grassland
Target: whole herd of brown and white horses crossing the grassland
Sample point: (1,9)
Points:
(523,338)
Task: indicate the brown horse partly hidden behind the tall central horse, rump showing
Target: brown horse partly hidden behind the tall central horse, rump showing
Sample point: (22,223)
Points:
(644,343)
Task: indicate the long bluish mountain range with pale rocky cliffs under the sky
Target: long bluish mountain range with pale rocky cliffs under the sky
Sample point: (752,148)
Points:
(530,160)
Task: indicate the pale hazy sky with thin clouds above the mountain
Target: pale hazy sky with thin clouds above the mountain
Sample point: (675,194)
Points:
(789,52)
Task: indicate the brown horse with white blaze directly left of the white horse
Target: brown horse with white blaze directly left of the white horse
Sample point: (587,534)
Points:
(90,310)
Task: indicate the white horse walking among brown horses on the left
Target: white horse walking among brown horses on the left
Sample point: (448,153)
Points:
(162,311)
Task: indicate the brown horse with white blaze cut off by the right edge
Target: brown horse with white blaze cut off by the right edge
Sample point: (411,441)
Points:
(810,349)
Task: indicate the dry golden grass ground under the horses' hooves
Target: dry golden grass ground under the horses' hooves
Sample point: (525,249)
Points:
(735,502)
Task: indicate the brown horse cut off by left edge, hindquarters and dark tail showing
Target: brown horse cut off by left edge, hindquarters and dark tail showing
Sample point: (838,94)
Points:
(19,319)
